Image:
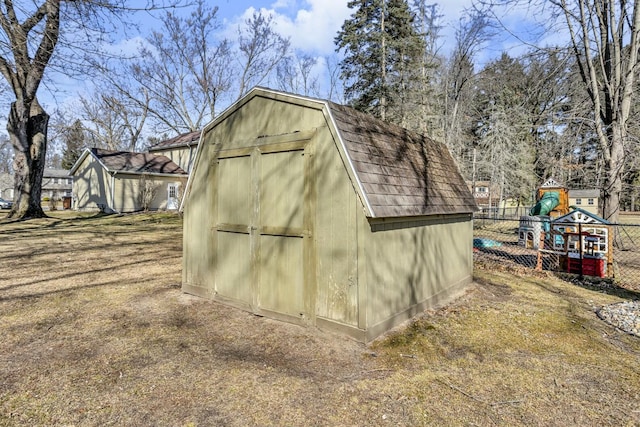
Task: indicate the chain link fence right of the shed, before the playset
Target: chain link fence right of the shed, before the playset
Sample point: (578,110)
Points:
(608,252)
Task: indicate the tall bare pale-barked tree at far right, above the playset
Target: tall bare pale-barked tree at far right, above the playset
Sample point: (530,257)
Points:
(604,36)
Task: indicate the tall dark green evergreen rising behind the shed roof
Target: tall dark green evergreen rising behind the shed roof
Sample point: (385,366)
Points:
(382,57)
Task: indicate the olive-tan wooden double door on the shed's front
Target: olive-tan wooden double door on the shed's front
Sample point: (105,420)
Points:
(260,231)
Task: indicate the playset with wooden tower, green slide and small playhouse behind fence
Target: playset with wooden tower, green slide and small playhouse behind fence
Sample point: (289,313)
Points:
(578,241)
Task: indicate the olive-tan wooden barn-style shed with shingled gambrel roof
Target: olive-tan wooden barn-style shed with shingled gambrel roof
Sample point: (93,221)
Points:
(311,212)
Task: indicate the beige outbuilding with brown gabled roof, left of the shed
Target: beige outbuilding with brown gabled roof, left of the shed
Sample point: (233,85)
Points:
(120,181)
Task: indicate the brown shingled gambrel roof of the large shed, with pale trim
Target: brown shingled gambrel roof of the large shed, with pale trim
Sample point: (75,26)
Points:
(398,173)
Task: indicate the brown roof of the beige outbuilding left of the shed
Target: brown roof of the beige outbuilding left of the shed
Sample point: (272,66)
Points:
(130,162)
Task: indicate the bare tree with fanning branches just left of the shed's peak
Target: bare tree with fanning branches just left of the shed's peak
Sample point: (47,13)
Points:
(179,76)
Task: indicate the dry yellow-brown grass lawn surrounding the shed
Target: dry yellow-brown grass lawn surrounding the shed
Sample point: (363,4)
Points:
(95,331)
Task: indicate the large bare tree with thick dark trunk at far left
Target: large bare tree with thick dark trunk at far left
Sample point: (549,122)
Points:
(31,32)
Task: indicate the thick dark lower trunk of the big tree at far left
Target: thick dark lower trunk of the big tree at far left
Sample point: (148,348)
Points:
(27,127)
